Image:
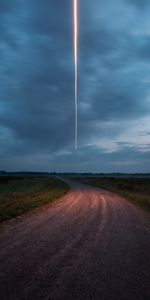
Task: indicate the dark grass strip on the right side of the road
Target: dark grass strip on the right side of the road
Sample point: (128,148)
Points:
(136,190)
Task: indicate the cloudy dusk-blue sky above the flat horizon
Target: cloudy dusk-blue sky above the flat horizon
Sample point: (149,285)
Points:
(37,86)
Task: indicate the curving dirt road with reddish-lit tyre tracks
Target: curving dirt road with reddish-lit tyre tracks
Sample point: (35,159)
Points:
(89,245)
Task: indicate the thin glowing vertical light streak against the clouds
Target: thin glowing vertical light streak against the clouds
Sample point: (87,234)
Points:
(76,68)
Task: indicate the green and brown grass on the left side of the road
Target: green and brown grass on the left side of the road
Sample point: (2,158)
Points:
(21,194)
